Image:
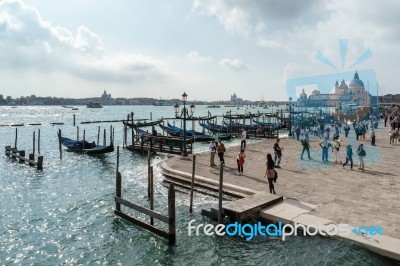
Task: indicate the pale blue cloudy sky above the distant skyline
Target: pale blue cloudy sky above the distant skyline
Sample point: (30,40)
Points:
(209,49)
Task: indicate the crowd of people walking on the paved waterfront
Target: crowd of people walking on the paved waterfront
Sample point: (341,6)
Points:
(329,140)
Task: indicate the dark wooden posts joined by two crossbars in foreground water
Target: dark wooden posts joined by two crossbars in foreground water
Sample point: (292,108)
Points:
(170,219)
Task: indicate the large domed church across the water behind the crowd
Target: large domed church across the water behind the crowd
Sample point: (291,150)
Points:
(344,96)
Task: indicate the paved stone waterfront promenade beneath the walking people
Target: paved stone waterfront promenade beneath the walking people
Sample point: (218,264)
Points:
(354,197)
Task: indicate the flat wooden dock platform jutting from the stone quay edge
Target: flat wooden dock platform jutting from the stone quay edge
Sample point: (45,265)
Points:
(241,209)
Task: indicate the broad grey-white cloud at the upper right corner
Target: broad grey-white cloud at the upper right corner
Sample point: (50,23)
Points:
(300,25)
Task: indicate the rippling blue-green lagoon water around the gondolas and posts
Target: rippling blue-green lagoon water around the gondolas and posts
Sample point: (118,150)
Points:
(64,215)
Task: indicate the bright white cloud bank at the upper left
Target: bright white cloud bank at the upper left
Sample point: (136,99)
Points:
(27,41)
